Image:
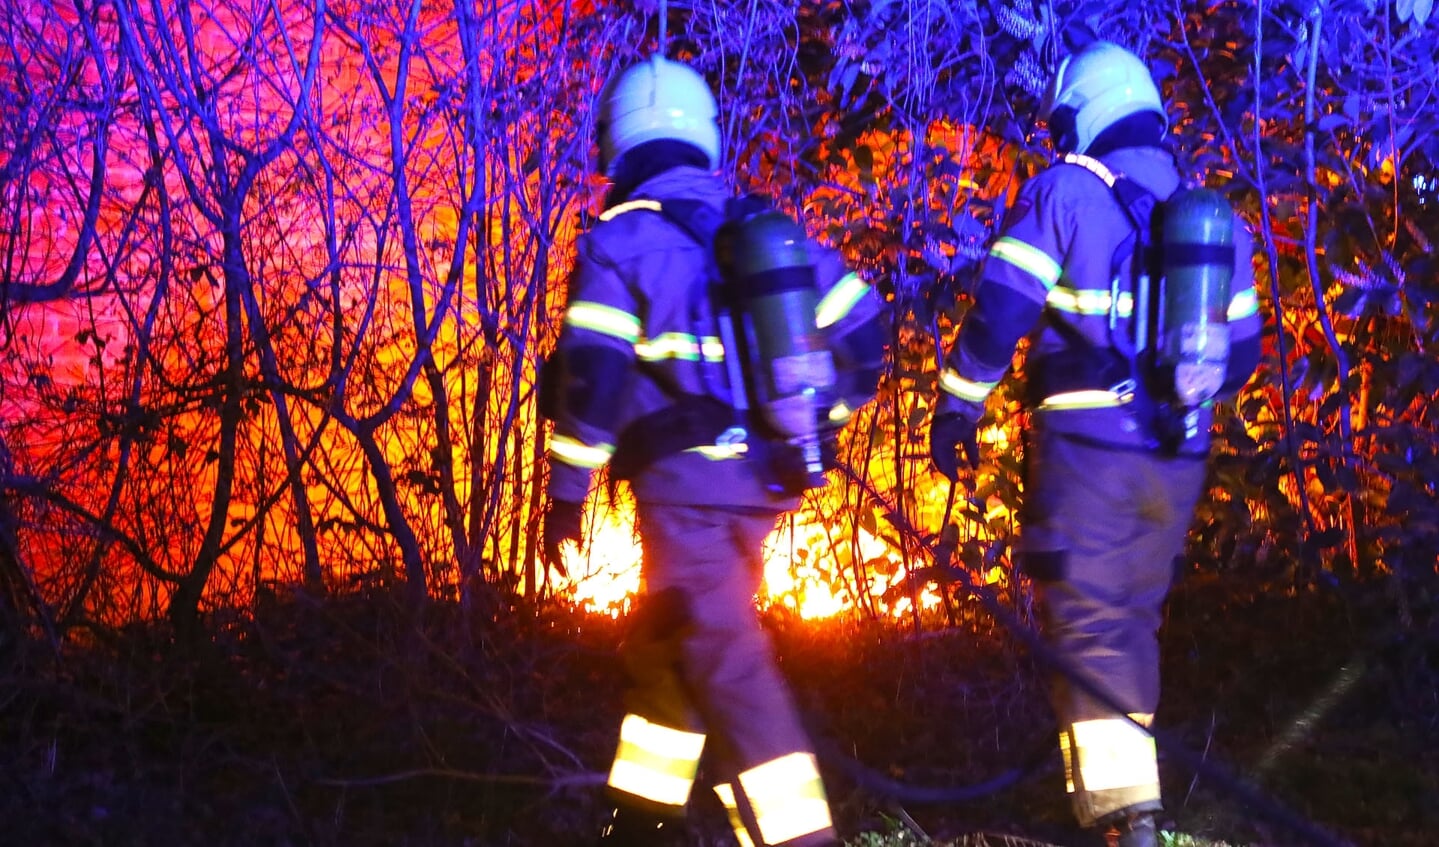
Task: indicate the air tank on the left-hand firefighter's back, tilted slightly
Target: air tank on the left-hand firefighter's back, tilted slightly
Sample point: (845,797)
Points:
(789,369)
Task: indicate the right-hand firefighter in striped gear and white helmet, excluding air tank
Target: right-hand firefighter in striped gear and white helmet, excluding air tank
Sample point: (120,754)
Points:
(1109,503)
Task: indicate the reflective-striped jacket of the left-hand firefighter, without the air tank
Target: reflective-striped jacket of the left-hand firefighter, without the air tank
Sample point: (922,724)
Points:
(643,376)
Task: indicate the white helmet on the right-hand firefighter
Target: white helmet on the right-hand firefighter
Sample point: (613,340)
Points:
(1094,90)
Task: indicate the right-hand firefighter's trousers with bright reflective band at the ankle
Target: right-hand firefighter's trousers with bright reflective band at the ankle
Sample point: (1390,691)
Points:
(1103,534)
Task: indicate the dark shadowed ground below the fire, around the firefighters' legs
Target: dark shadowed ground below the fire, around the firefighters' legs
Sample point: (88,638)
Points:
(1287,721)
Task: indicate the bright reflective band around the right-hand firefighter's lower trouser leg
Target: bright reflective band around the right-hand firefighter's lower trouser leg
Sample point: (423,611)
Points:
(1110,766)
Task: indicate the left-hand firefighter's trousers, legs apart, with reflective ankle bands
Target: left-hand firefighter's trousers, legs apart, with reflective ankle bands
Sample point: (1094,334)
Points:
(703,675)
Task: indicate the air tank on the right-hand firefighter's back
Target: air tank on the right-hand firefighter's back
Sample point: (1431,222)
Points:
(1198,262)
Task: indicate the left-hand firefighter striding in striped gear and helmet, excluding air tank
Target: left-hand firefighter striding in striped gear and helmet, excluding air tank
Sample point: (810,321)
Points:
(638,385)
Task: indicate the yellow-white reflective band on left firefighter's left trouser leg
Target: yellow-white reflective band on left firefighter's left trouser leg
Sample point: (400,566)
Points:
(657,763)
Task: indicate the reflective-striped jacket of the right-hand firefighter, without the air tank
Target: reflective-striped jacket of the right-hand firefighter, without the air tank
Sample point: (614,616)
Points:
(1053,261)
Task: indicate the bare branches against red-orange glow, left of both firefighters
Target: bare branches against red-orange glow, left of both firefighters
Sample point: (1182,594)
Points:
(322,271)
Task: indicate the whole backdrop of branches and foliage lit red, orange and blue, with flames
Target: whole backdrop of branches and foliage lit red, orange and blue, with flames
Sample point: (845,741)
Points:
(276,287)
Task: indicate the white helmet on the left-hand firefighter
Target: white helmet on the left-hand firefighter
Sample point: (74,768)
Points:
(657,100)
